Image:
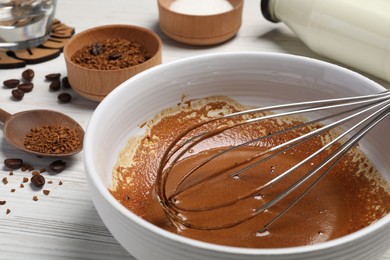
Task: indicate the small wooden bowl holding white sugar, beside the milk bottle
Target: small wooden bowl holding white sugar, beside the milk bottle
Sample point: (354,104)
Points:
(200,29)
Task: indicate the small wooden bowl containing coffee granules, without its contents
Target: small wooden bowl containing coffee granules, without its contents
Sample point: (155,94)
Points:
(95,84)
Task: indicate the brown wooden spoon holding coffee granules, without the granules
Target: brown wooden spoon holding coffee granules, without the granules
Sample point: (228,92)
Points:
(17,126)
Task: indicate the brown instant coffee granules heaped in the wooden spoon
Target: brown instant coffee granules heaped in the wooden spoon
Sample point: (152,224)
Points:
(55,139)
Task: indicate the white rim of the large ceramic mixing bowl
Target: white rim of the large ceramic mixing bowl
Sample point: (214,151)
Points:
(97,182)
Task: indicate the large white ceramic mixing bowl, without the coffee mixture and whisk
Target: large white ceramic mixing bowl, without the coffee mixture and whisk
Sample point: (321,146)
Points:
(253,78)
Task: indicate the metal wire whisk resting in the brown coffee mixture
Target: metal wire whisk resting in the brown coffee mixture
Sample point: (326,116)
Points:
(356,115)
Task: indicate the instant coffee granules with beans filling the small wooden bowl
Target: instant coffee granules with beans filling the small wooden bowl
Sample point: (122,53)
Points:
(111,54)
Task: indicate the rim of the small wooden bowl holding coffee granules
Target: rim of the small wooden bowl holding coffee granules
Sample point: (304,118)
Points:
(68,55)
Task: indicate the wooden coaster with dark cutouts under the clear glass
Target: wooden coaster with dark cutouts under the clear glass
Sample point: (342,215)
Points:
(52,48)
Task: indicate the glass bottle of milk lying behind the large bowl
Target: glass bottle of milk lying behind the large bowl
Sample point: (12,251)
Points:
(352,32)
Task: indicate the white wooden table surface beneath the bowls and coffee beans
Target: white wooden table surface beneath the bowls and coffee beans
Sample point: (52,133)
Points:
(65,224)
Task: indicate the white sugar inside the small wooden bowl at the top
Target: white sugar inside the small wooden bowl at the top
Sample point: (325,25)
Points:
(201,7)
